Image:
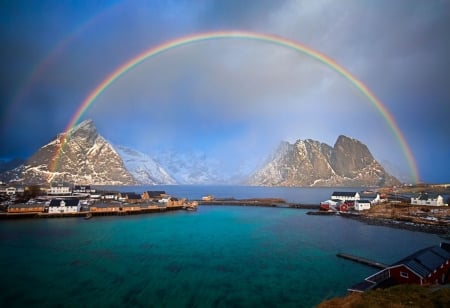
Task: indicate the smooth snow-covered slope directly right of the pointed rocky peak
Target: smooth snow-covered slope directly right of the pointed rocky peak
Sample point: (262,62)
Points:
(143,168)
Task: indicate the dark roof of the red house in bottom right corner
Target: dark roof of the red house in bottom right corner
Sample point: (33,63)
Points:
(426,260)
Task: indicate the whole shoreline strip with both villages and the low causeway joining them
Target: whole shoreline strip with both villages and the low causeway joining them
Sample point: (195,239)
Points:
(415,205)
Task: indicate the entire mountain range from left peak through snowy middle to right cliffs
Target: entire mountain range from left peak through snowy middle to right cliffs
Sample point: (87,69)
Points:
(86,157)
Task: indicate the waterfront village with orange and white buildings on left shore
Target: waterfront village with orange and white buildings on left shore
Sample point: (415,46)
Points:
(64,200)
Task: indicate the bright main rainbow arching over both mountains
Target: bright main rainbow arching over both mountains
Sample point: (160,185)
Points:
(191,39)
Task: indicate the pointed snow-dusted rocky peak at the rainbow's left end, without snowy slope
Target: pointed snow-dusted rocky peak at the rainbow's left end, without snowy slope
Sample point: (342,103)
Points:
(85,158)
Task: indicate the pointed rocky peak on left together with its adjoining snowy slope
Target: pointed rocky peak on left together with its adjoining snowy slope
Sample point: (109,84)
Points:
(88,158)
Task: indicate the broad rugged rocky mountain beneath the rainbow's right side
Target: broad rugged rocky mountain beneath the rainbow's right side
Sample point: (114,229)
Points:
(312,163)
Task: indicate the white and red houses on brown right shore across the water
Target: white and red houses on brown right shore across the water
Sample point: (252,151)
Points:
(418,211)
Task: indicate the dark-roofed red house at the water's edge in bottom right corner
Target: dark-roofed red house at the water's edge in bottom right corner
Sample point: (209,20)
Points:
(430,265)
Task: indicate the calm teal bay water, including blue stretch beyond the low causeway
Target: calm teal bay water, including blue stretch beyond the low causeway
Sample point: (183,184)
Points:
(218,256)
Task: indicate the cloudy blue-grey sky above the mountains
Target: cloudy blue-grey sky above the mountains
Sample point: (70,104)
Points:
(233,99)
